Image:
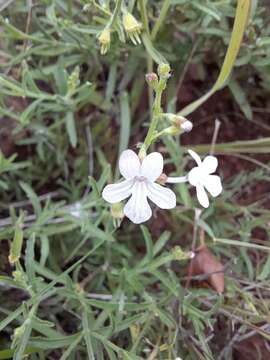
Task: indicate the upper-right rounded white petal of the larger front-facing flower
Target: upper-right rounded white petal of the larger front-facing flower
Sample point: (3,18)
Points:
(152,166)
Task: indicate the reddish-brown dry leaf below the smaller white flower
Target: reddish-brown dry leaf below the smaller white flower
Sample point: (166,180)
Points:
(206,264)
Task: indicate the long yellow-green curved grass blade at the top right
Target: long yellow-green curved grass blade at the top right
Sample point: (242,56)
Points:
(241,18)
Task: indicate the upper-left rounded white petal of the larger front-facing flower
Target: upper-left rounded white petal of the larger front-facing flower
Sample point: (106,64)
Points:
(129,164)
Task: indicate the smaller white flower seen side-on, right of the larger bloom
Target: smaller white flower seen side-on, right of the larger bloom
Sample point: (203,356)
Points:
(201,177)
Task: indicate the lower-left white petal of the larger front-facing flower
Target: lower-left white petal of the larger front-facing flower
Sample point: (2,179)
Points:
(114,193)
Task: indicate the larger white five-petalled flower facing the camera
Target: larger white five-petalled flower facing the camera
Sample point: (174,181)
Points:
(140,183)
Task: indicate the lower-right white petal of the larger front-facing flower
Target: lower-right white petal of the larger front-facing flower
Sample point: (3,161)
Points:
(163,197)
